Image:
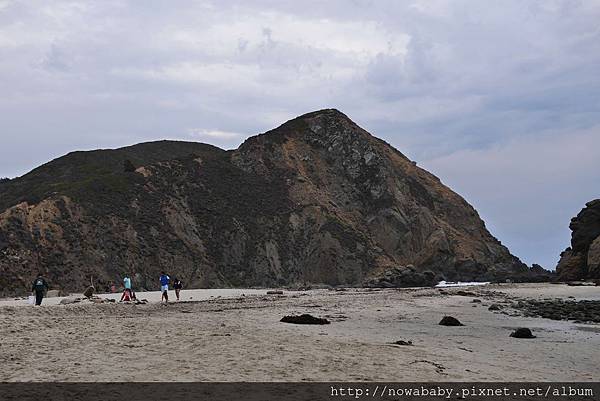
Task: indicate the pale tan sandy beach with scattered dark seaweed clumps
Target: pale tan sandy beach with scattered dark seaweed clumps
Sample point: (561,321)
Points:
(240,338)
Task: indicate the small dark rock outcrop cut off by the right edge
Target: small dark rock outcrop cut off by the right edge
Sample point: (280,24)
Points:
(582,259)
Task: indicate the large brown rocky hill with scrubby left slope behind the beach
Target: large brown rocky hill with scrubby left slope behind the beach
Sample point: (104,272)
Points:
(316,200)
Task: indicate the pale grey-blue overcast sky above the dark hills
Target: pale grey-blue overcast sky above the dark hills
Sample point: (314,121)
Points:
(501,100)
